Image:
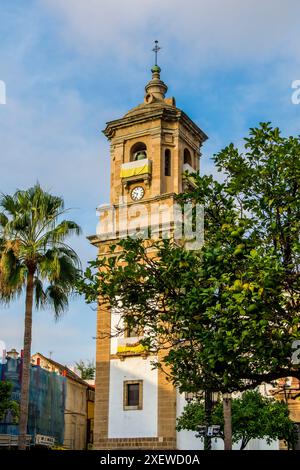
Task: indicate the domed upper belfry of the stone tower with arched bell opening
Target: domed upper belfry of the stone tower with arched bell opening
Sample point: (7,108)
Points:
(152,145)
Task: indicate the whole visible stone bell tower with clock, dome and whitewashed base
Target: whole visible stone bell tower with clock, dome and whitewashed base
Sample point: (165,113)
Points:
(152,148)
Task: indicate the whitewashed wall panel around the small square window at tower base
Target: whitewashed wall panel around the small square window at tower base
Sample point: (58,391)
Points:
(132,423)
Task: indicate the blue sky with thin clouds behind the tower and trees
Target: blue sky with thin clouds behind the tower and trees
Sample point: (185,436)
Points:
(71,65)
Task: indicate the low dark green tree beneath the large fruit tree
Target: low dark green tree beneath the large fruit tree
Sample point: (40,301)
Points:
(253,417)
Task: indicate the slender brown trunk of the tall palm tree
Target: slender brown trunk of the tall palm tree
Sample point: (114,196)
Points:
(26,363)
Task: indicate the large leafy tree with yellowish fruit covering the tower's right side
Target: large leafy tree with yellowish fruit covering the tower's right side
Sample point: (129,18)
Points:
(227,315)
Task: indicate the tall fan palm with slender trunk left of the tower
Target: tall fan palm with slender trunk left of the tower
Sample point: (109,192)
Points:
(35,258)
